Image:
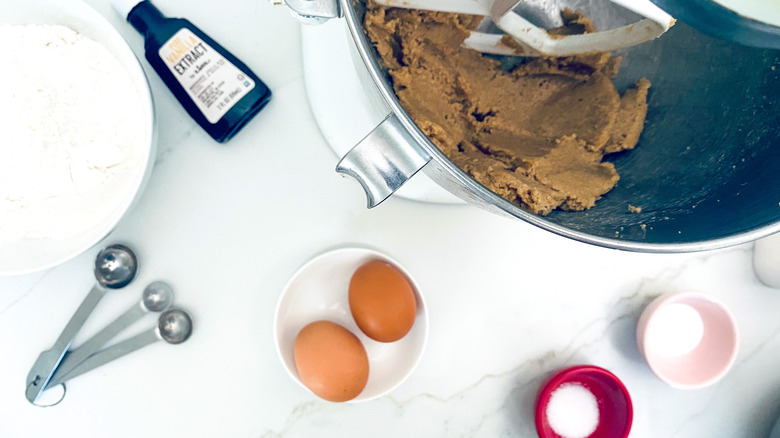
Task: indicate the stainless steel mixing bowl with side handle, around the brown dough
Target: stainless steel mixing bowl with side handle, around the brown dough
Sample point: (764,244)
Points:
(704,170)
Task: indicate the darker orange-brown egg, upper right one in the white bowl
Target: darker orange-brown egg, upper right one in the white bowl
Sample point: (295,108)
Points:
(382,301)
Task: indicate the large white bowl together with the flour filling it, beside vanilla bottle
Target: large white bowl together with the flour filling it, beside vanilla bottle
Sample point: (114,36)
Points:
(77,122)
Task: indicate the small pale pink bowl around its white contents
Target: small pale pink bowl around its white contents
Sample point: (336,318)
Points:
(713,356)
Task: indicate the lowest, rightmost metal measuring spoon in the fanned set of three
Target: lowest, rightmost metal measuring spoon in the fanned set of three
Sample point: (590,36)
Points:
(174,327)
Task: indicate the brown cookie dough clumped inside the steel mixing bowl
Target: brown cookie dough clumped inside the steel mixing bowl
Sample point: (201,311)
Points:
(535,134)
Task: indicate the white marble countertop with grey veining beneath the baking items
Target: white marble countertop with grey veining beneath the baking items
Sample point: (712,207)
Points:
(227,225)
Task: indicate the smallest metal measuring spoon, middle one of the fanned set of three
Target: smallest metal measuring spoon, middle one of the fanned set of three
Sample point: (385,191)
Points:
(157,297)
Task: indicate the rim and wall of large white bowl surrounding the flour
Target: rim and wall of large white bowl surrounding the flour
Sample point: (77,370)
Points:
(28,255)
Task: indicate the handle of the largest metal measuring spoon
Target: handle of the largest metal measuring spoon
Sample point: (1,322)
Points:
(44,367)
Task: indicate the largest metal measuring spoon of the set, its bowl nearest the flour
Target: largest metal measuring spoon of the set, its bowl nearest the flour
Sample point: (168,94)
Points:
(115,268)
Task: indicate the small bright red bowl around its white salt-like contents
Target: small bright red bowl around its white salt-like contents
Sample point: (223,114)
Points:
(615,410)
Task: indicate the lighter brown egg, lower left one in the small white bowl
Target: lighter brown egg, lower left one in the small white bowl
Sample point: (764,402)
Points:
(331,361)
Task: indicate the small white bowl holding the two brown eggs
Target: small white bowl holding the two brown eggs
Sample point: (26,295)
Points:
(319,291)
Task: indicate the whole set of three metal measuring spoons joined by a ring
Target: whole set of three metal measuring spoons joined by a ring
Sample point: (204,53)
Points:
(115,267)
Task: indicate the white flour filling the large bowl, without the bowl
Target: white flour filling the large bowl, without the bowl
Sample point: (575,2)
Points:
(72,133)
